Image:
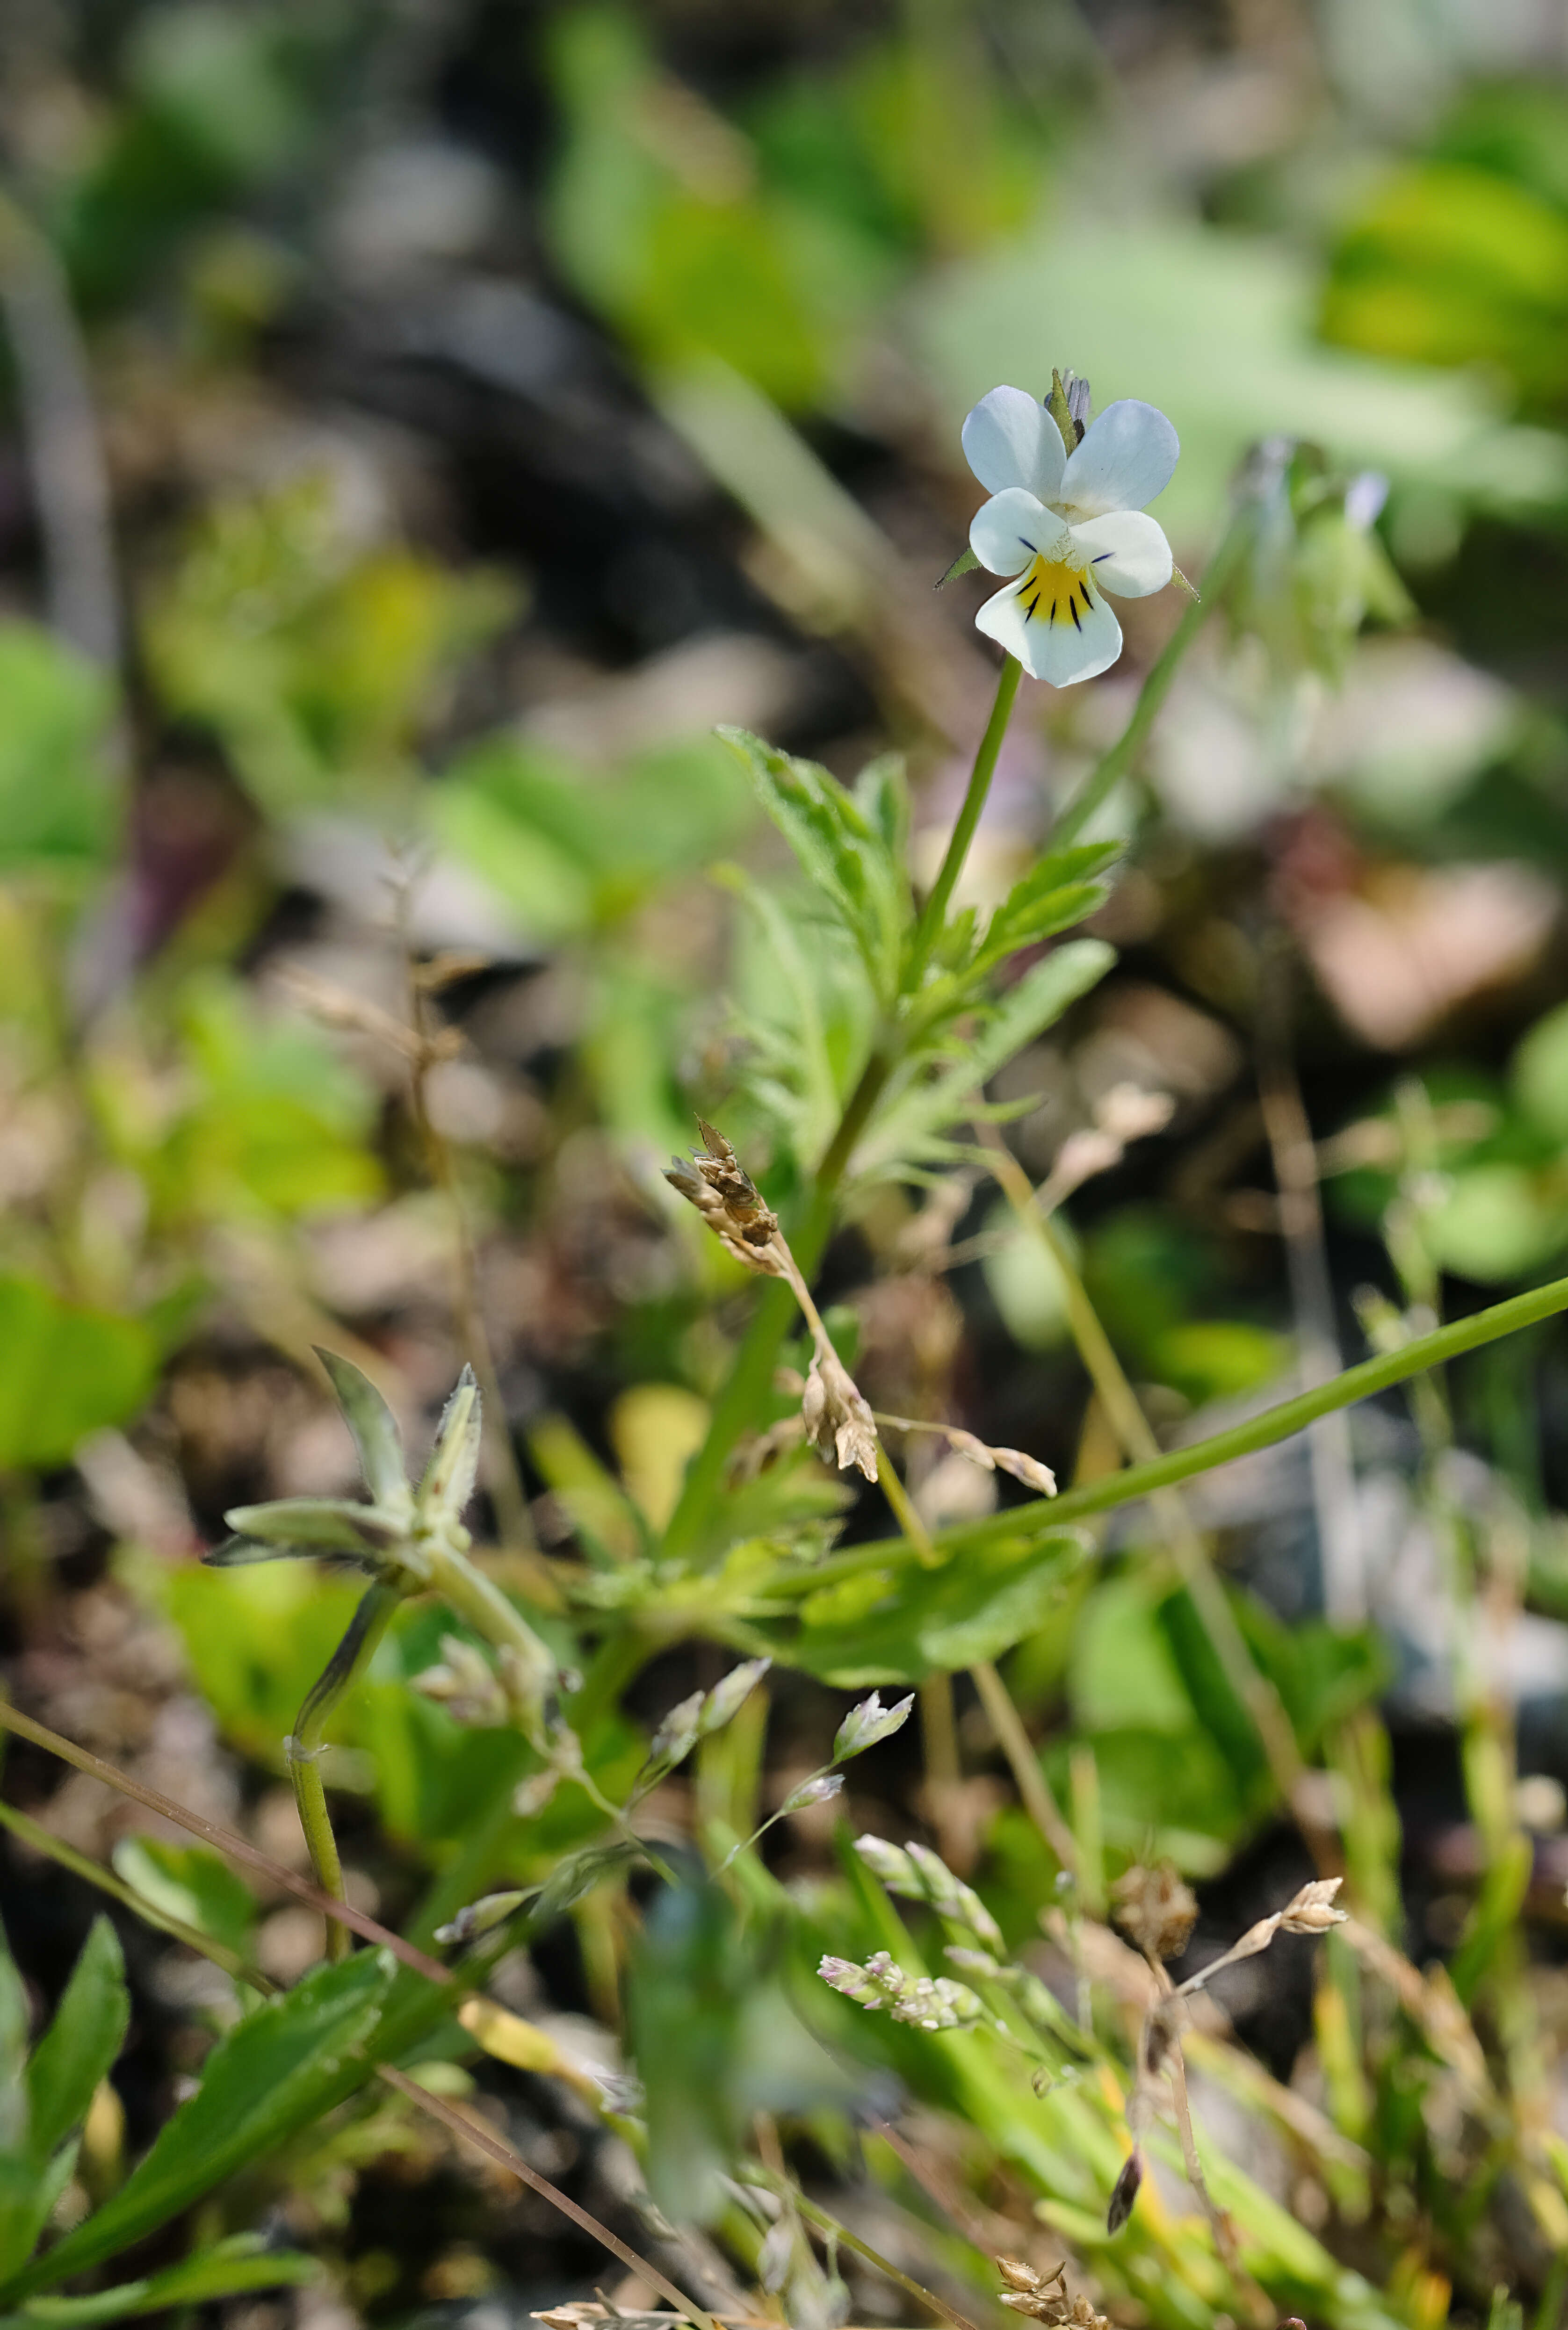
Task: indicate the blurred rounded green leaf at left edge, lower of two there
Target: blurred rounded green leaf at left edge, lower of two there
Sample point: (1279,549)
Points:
(64,1374)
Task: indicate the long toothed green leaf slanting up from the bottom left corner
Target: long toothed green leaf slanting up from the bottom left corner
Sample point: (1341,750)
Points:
(264,2082)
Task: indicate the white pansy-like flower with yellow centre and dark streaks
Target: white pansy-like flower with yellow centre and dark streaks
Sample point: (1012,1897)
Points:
(1068,525)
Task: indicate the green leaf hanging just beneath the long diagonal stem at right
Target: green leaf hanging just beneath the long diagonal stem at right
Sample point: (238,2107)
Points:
(907,1625)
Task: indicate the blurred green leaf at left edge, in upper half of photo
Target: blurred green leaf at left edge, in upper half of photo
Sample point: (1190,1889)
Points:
(59,807)
